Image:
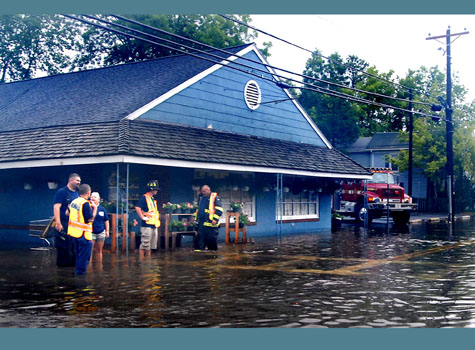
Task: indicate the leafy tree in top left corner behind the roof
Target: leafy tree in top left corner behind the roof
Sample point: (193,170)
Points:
(30,45)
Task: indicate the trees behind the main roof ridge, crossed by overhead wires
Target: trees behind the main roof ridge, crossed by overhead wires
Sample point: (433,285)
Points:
(101,48)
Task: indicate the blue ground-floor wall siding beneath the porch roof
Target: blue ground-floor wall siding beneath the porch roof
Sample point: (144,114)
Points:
(24,206)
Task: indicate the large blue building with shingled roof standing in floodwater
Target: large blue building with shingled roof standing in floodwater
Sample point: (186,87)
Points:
(180,119)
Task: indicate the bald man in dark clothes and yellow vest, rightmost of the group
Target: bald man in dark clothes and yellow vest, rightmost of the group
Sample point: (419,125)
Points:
(208,214)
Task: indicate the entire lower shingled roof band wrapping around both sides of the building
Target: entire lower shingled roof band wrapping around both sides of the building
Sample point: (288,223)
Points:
(169,141)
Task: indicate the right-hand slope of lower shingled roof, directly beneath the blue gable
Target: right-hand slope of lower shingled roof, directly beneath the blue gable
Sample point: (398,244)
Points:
(162,140)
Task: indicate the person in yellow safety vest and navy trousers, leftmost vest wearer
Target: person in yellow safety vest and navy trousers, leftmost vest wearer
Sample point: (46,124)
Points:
(81,215)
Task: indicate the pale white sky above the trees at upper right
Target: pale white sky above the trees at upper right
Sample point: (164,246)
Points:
(389,42)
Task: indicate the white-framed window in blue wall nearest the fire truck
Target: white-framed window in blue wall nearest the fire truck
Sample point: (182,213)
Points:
(303,205)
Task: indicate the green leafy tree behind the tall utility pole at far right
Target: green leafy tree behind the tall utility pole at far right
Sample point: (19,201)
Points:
(429,137)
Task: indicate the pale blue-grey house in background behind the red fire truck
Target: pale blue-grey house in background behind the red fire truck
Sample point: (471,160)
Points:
(373,152)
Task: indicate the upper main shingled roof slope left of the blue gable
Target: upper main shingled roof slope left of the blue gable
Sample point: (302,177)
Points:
(97,95)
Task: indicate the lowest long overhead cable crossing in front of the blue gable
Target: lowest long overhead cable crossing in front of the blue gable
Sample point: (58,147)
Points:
(312,88)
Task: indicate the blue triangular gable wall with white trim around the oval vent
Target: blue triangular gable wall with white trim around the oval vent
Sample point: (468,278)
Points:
(215,99)
